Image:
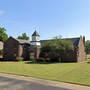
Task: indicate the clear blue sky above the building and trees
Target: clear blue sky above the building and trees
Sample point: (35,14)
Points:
(68,18)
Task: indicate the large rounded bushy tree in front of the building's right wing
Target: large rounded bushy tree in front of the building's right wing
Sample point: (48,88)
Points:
(56,48)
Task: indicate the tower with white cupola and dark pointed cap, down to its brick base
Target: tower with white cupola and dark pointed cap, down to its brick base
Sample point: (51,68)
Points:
(35,46)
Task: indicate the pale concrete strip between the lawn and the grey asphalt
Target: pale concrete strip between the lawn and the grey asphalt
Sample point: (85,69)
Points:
(47,82)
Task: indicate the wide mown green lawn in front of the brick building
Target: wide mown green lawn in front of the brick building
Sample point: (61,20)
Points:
(78,73)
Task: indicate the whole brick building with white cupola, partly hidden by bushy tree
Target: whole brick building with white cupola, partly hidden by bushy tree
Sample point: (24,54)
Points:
(31,49)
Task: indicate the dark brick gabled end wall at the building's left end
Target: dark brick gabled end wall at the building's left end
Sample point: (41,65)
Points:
(10,49)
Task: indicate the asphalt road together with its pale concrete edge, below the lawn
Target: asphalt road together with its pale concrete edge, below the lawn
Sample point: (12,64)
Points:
(10,81)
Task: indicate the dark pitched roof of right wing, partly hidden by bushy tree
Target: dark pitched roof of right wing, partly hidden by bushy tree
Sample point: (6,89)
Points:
(74,41)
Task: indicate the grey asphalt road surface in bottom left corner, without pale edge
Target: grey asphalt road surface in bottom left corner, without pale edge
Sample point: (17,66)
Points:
(7,83)
